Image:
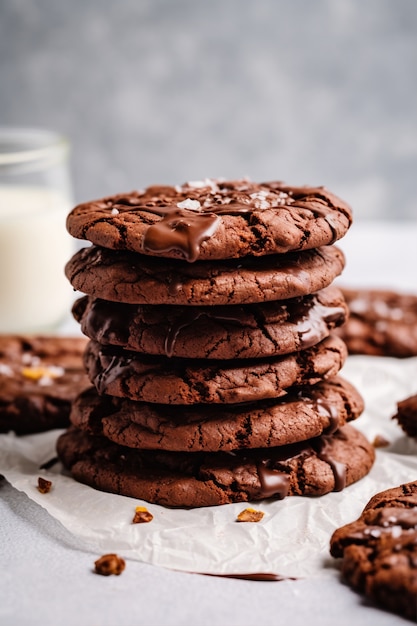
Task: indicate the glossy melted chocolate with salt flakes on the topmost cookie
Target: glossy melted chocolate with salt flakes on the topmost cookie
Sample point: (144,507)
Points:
(184,229)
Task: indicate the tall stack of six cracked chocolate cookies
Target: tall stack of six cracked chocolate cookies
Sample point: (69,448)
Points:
(209,309)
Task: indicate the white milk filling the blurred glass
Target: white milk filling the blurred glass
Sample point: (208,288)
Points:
(34,247)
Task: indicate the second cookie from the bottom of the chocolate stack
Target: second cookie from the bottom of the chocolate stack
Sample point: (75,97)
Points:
(294,417)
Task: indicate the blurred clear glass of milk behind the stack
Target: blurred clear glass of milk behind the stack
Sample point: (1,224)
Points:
(35,197)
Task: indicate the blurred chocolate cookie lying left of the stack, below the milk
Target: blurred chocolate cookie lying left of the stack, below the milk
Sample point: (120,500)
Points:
(39,377)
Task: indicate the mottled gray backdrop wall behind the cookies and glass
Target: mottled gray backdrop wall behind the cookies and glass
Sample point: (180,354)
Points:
(154,91)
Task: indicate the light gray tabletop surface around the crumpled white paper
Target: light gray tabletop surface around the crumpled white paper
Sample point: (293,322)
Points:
(47,575)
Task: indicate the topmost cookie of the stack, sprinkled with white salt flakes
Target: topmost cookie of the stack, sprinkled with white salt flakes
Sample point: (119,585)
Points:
(213,219)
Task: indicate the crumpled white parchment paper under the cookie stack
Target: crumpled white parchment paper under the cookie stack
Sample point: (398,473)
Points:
(291,540)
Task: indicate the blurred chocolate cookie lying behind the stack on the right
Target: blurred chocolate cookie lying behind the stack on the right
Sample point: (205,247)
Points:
(381,323)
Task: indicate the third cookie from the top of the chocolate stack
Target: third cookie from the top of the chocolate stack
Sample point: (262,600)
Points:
(211,332)
